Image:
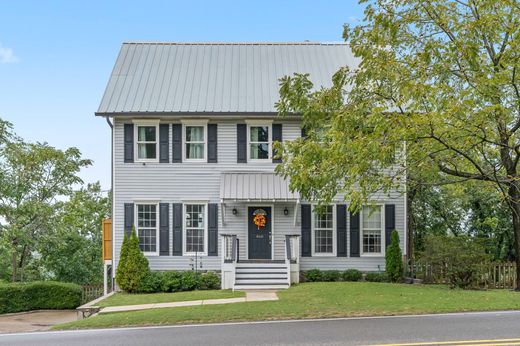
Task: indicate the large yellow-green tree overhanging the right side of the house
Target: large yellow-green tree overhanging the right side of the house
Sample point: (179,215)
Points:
(438,75)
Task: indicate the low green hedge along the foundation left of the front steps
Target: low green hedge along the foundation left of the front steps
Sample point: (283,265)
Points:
(177,281)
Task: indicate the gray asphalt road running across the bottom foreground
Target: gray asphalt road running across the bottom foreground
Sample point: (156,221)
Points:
(494,327)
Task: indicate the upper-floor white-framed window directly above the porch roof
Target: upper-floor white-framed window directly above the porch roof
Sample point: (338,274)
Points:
(259,141)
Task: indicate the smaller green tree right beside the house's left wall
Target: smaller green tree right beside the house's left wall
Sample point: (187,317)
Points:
(71,250)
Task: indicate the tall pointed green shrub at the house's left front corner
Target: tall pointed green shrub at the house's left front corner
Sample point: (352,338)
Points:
(133,265)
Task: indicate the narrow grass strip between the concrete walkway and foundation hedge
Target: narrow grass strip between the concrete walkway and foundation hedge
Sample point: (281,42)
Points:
(118,299)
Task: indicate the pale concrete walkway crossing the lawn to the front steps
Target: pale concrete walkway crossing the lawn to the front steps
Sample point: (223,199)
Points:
(251,296)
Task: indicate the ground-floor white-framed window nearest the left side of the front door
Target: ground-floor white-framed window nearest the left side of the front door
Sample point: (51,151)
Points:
(195,230)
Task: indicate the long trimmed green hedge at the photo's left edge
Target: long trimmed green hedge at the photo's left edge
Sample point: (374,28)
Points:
(16,297)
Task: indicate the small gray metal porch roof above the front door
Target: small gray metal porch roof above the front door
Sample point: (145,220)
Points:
(255,187)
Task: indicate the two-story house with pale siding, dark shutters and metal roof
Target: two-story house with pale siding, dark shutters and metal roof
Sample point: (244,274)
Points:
(193,126)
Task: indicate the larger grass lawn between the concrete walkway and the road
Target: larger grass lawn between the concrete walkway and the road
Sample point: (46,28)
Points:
(320,300)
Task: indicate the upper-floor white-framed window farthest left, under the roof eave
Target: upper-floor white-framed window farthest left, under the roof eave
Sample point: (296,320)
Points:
(146,141)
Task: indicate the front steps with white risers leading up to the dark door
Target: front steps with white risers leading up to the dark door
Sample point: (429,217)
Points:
(269,275)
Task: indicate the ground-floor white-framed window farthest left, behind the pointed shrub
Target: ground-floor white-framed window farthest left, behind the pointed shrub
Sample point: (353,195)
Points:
(147,227)
